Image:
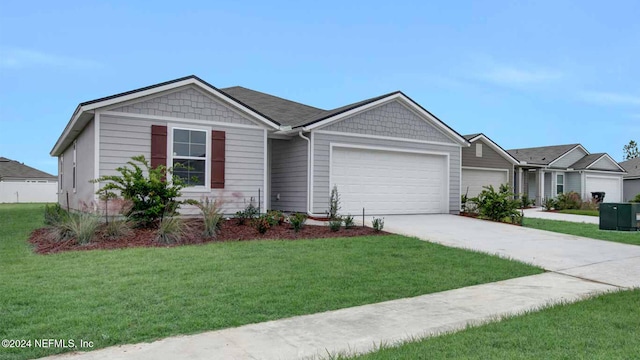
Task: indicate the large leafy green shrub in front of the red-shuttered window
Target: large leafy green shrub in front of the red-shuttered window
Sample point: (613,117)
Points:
(152,196)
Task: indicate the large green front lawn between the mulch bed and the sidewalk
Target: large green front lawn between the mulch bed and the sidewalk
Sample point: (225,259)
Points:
(141,294)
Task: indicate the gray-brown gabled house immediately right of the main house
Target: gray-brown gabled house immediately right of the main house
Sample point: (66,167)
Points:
(485,163)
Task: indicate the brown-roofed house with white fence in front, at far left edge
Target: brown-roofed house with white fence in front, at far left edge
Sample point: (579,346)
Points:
(22,183)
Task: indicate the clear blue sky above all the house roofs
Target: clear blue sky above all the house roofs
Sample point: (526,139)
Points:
(524,73)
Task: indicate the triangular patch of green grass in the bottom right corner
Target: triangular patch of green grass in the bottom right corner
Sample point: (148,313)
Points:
(605,327)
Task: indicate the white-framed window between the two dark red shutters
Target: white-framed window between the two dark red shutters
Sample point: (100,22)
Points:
(190,156)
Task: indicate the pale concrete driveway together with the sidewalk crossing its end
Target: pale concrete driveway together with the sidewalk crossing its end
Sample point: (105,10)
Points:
(581,268)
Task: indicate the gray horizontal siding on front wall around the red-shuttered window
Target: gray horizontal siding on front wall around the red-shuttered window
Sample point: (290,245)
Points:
(122,137)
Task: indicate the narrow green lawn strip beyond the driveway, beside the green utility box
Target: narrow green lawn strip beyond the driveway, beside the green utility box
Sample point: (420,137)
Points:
(585,230)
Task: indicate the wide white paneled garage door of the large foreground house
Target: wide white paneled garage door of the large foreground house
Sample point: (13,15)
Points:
(389,182)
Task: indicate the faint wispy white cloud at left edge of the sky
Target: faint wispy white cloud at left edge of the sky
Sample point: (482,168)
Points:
(24,58)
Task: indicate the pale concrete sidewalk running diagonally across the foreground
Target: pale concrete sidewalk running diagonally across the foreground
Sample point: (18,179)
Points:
(362,328)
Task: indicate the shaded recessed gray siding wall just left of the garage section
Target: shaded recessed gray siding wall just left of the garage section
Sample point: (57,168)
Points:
(289,174)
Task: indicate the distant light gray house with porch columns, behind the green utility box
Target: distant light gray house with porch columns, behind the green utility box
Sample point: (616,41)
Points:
(544,172)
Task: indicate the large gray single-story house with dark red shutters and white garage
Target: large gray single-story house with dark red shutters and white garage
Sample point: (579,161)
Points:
(386,154)
